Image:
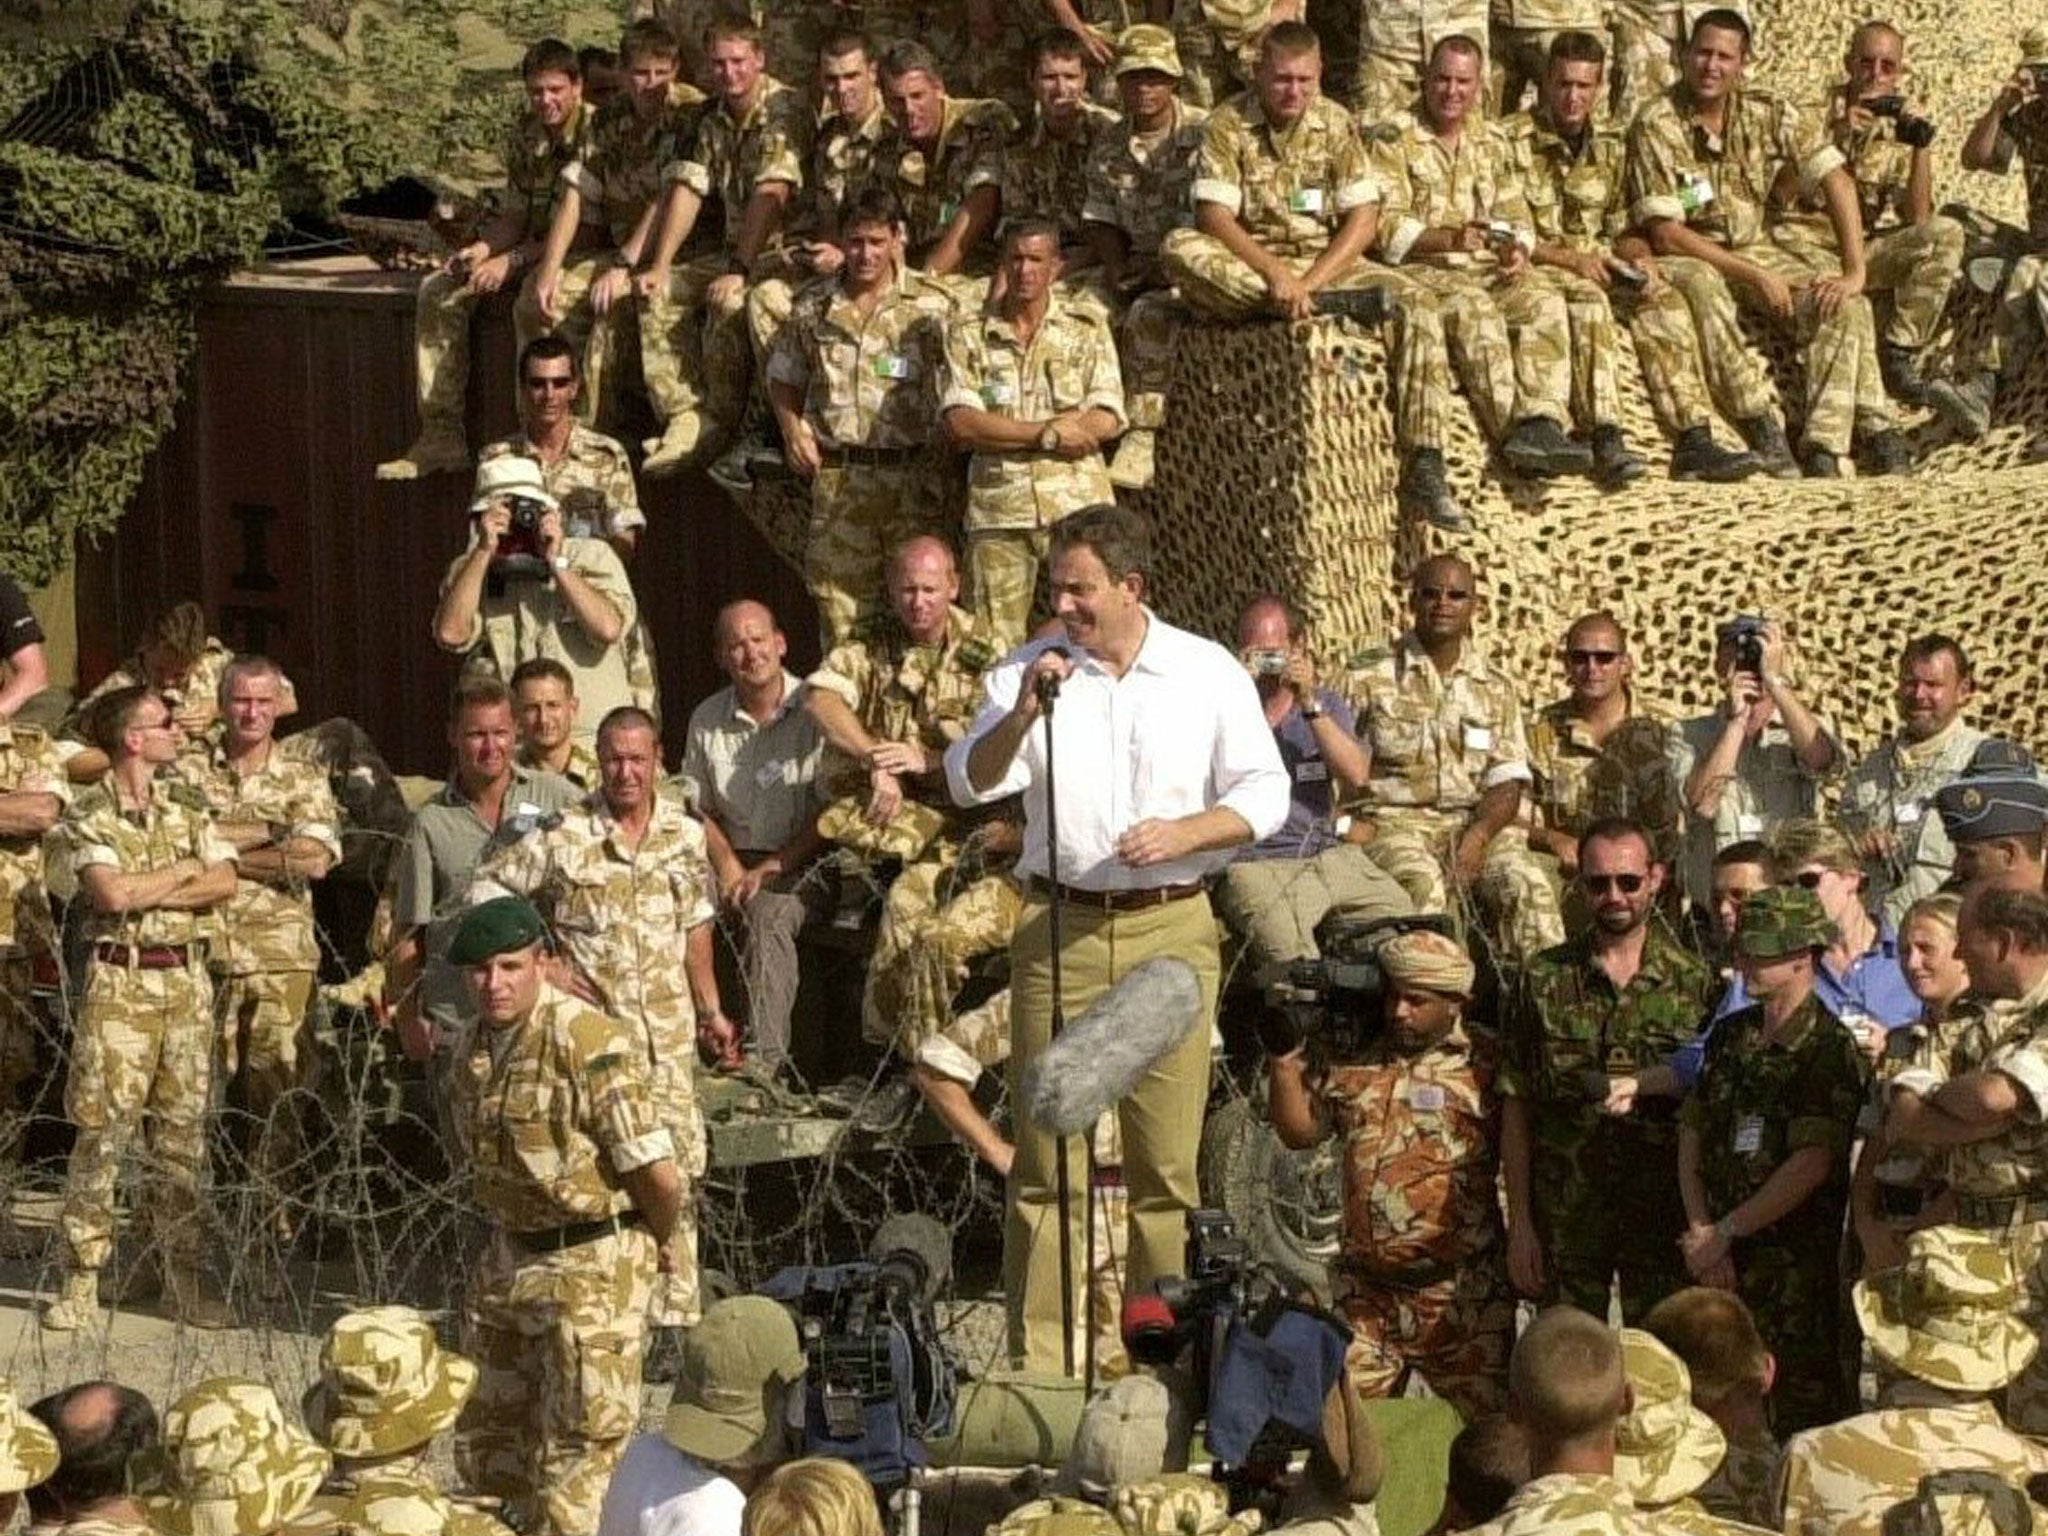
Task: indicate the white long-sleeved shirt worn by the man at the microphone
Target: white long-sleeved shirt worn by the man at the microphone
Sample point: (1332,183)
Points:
(1181,732)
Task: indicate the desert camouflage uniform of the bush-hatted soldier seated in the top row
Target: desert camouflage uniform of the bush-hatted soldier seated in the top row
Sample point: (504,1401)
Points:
(1144,187)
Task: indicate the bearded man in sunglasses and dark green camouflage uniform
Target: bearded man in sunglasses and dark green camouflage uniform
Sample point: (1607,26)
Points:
(1590,1160)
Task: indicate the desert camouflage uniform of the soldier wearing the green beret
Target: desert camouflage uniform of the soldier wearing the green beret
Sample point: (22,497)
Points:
(558,1107)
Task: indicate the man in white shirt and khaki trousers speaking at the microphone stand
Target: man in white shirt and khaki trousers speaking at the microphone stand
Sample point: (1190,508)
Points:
(1164,765)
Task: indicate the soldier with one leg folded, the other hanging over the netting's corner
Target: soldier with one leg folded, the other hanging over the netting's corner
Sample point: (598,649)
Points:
(1285,208)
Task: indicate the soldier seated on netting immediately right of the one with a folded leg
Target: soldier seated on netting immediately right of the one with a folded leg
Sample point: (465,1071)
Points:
(1457,224)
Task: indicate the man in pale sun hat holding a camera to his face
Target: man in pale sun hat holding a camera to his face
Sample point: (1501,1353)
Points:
(525,589)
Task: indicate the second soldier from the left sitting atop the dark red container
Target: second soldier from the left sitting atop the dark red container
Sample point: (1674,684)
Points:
(613,187)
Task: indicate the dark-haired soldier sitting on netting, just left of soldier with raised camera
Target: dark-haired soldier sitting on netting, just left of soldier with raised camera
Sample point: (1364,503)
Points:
(1703,163)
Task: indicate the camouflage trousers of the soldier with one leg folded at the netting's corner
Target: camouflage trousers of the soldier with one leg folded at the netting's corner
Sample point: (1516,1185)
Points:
(1213,282)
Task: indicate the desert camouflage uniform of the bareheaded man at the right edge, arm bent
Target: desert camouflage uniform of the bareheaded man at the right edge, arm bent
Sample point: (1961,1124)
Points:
(2002,1183)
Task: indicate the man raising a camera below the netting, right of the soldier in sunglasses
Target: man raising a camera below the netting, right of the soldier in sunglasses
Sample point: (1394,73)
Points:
(1754,763)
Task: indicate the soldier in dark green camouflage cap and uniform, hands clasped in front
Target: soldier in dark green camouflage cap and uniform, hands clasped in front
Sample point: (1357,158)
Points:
(1764,1154)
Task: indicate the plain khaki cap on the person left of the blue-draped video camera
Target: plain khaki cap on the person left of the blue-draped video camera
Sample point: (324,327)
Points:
(732,1363)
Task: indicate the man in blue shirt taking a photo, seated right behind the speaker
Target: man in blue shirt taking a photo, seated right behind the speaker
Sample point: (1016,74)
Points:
(1281,888)
